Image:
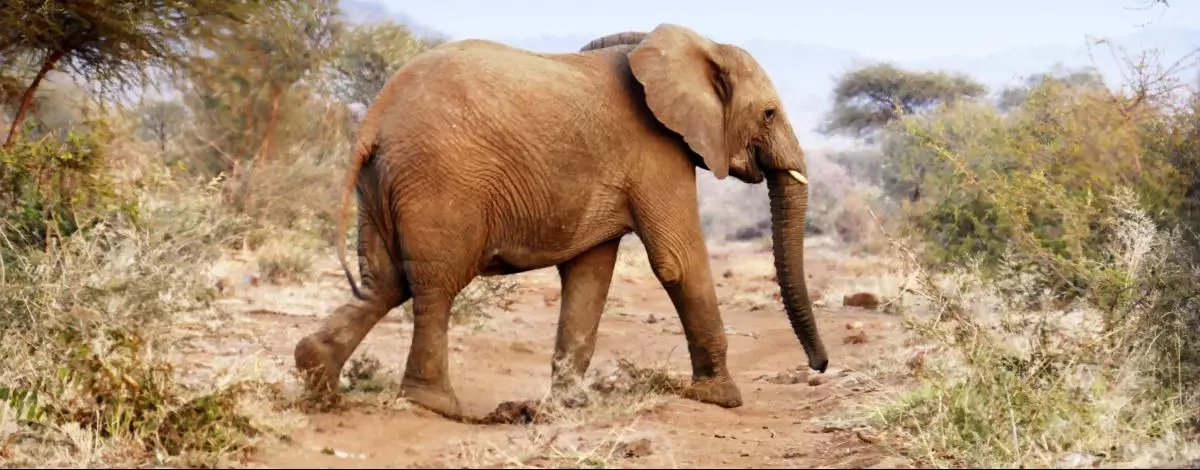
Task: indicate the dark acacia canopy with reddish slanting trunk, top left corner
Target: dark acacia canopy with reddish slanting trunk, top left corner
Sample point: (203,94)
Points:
(110,43)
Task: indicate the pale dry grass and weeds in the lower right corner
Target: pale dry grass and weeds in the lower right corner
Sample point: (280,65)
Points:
(1004,387)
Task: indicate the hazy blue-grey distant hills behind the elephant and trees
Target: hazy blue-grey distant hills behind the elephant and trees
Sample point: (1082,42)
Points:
(805,74)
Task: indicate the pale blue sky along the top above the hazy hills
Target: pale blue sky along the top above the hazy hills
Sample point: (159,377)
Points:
(891,29)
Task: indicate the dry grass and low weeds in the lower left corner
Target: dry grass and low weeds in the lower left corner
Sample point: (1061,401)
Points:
(86,375)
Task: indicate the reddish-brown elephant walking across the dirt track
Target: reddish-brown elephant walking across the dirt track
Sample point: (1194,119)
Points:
(479,159)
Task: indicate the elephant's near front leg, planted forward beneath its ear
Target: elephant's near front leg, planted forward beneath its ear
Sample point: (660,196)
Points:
(679,256)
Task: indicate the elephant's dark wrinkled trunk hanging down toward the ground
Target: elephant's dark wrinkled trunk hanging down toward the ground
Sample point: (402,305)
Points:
(789,204)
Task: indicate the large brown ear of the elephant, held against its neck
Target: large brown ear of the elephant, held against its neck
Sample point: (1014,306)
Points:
(687,89)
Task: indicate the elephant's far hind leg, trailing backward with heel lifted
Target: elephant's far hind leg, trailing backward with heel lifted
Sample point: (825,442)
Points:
(320,357)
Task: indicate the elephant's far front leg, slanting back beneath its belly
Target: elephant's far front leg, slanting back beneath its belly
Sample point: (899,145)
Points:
(586,281)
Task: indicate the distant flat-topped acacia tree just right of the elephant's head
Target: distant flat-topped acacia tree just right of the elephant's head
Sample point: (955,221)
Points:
(867,99)
